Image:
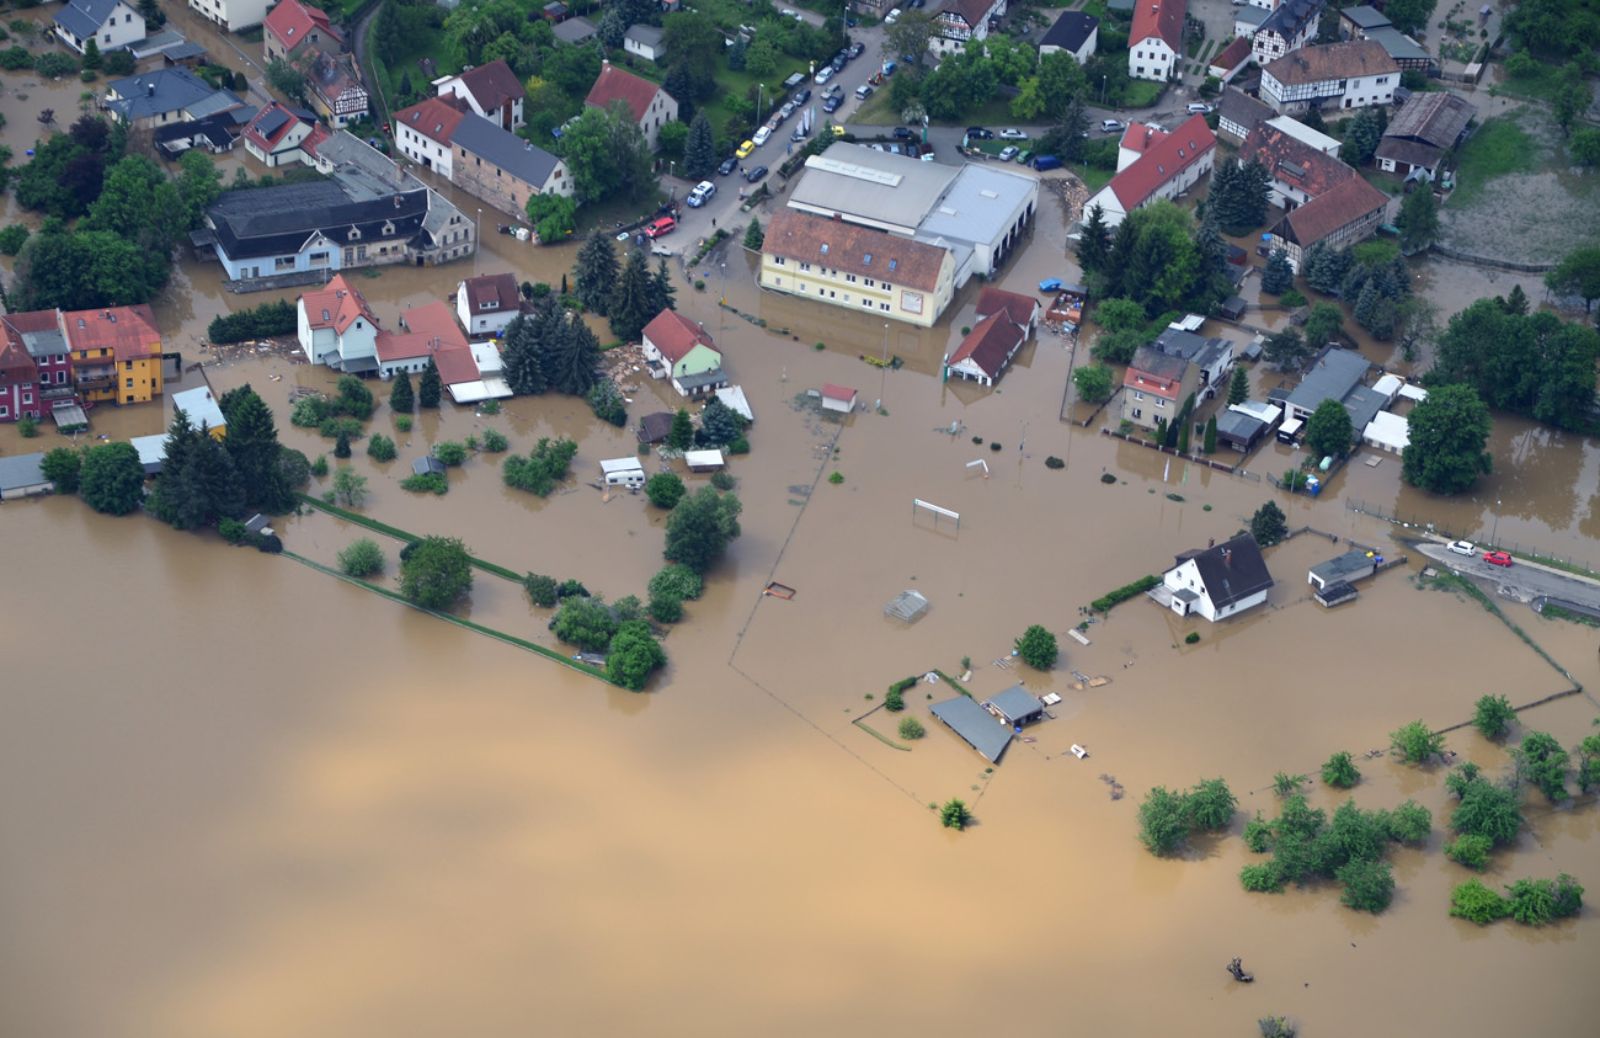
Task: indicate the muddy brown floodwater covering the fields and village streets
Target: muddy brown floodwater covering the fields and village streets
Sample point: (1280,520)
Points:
(273,804)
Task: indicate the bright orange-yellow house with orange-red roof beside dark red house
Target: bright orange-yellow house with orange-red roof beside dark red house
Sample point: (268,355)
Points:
(116,354)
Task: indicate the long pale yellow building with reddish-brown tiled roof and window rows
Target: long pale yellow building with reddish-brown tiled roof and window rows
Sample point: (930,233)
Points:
(857,268)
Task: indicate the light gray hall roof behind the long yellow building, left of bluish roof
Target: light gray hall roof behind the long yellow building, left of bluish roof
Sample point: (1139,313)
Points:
(873,186)
